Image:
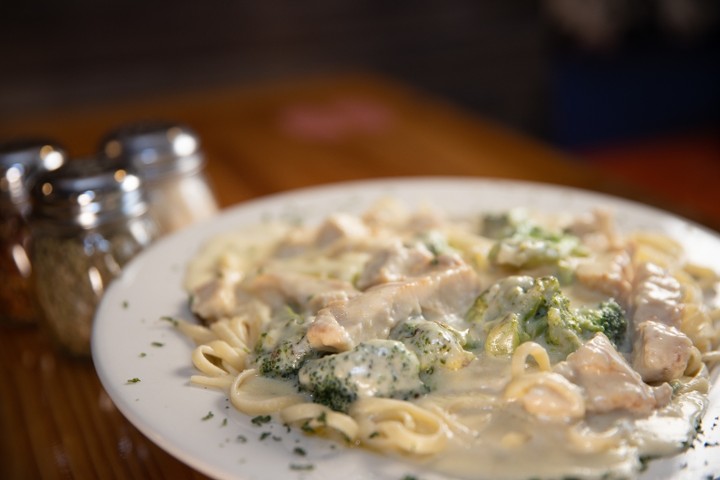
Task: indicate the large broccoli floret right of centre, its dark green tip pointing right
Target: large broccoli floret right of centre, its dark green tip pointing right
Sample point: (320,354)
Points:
(521,308)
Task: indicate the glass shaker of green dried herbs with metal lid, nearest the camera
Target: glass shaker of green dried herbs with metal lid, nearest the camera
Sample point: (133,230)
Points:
(88,220)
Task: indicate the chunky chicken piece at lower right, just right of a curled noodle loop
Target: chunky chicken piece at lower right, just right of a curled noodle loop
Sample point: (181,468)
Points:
(608,381)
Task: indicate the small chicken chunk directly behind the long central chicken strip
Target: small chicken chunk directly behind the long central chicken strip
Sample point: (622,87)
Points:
(394,263)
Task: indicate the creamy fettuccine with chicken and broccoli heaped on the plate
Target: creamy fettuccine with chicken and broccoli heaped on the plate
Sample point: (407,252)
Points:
(502,345)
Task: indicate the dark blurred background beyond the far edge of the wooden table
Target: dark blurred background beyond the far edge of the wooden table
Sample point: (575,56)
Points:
(632,86)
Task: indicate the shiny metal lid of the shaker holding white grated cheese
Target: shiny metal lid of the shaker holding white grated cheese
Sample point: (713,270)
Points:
(154,149)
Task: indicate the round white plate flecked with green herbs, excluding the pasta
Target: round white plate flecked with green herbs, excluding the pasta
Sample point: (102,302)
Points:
(200,428)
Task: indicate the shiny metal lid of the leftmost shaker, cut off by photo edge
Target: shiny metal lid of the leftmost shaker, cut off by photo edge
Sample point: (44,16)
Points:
(21,161)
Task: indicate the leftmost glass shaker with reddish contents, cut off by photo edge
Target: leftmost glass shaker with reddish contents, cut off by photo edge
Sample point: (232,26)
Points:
(20,161)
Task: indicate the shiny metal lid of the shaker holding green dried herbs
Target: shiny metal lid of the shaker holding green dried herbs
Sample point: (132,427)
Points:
(86,193)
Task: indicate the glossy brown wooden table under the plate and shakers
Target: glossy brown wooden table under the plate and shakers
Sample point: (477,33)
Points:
(56,419)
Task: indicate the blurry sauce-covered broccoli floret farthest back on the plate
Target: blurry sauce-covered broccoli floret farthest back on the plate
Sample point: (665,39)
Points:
(522,244)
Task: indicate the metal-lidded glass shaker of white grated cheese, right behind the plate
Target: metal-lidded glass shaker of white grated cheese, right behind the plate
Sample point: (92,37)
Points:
(168,159)
